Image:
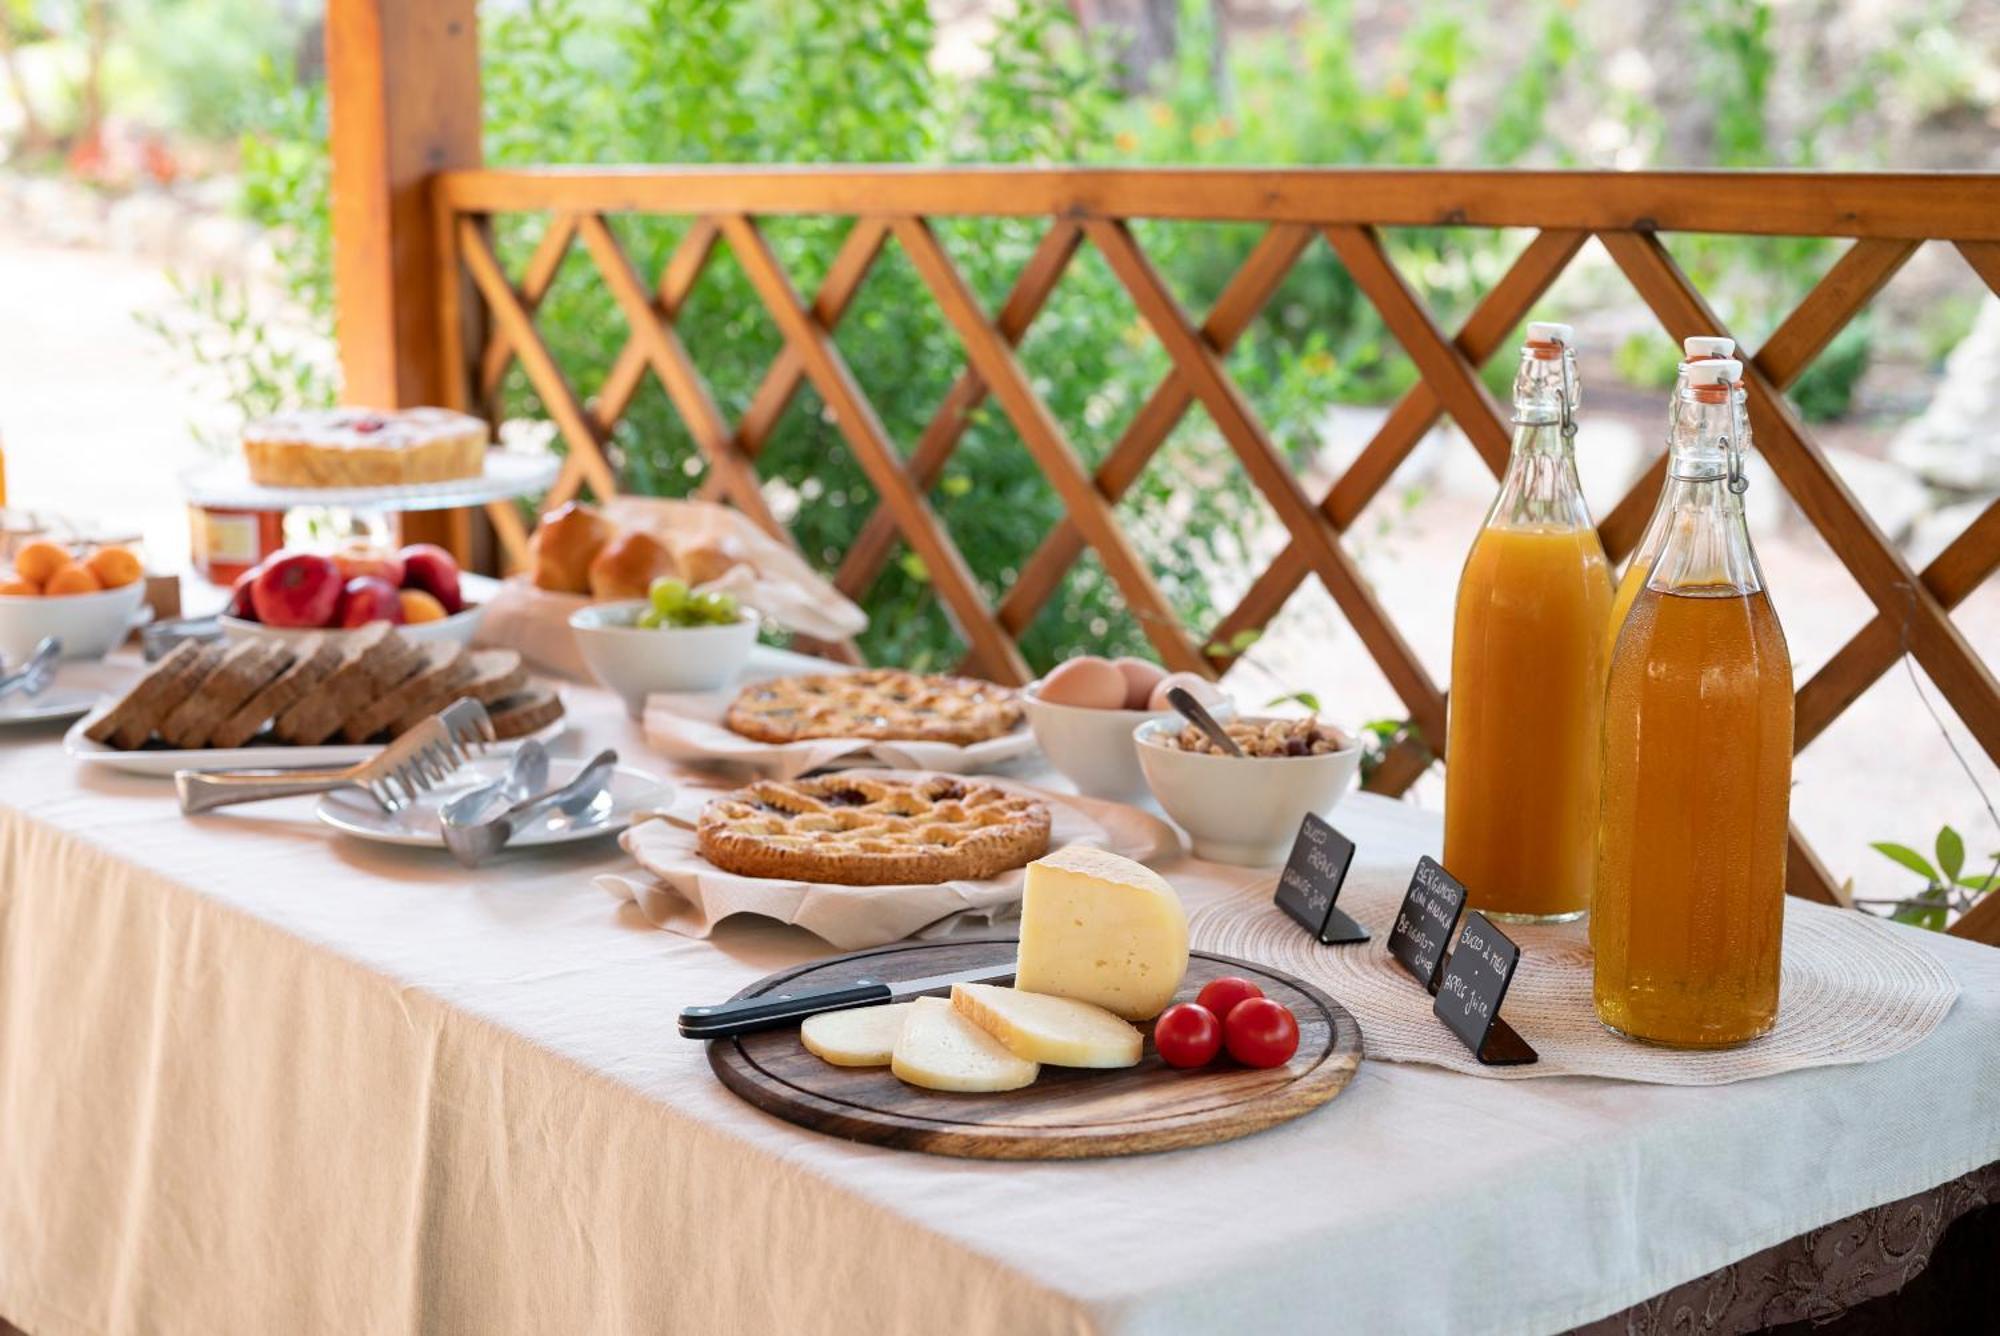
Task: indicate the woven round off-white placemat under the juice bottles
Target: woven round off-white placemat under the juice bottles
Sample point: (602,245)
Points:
(1853,991)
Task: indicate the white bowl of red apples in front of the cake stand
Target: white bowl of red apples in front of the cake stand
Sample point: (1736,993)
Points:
(295,595)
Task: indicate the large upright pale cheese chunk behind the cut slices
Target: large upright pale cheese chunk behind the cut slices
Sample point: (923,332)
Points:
(1101,929)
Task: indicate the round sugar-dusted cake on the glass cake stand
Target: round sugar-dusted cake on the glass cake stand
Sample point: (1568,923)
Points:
(365,449)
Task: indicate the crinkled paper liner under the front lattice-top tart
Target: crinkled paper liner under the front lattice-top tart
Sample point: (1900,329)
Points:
(683,893)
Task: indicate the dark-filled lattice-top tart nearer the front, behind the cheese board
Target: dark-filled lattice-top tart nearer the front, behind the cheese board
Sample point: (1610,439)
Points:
(873,831)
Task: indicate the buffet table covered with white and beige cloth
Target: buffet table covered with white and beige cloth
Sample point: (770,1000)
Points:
(259,1077)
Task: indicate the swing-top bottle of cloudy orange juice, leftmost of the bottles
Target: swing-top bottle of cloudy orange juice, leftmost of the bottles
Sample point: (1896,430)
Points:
(1529,655)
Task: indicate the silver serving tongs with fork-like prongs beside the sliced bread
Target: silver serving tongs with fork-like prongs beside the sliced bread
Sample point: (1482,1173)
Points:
(415,763)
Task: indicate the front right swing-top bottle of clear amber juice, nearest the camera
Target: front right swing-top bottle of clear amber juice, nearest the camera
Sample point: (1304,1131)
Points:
(1689,907)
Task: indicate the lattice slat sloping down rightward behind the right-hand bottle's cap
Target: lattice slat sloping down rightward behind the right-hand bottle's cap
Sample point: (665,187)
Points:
(1827,501)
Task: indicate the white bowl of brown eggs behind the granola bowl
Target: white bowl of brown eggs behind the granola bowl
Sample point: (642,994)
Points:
(1087,709)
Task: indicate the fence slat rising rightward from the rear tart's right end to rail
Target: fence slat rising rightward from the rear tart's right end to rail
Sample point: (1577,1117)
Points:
(1241,301)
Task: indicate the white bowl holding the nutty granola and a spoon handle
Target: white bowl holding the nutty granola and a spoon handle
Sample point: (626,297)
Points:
(1243,809)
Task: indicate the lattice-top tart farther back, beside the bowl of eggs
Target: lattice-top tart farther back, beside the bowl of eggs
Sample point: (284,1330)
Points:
(877,703)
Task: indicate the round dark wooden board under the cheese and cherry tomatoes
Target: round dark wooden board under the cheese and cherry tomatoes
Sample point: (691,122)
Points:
(1067,1113)
